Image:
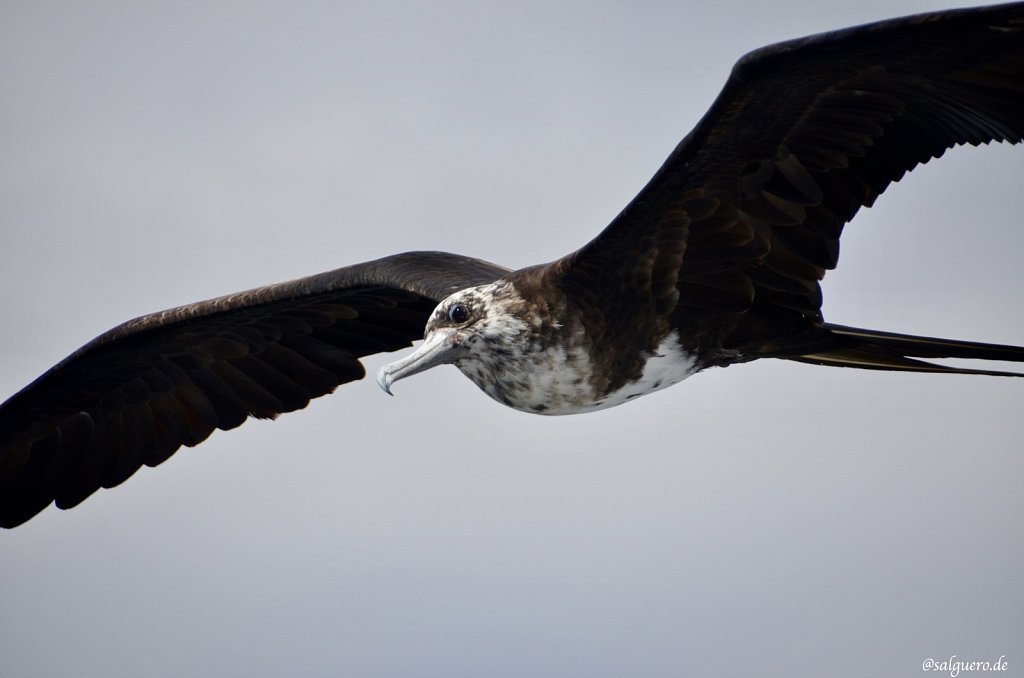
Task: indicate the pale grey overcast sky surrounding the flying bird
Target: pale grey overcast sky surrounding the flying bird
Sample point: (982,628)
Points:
(767,520)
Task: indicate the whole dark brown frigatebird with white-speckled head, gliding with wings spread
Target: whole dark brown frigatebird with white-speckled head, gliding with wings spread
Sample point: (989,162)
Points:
(716,262)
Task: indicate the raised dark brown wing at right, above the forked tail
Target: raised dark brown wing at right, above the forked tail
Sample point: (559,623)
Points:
(750,206)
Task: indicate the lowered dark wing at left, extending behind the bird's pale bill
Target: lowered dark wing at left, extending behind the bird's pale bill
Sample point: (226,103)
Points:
(139,393)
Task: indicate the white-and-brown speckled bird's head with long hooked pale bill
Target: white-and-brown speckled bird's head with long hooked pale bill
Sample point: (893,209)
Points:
(477,329)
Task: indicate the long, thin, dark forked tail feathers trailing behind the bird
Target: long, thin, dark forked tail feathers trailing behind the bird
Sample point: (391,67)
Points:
(871,350)
